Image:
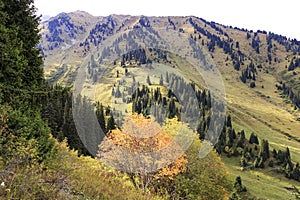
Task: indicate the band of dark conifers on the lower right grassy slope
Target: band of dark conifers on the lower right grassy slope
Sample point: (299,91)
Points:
(254,156)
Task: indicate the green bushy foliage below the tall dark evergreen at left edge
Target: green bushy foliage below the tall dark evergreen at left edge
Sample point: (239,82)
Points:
(25,127)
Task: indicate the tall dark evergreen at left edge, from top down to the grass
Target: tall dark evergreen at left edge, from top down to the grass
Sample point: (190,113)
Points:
(21,76)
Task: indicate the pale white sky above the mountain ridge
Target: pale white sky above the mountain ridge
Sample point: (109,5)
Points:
(281,17)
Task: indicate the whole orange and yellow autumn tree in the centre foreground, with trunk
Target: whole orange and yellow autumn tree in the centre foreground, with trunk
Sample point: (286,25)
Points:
(144,150)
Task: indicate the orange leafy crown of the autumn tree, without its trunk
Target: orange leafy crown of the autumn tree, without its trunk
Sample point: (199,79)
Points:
(142,135)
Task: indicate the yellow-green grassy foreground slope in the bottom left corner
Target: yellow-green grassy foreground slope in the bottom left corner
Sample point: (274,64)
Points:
(66,176)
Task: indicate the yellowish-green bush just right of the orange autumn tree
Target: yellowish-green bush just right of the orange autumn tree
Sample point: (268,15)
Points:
(205,178)
